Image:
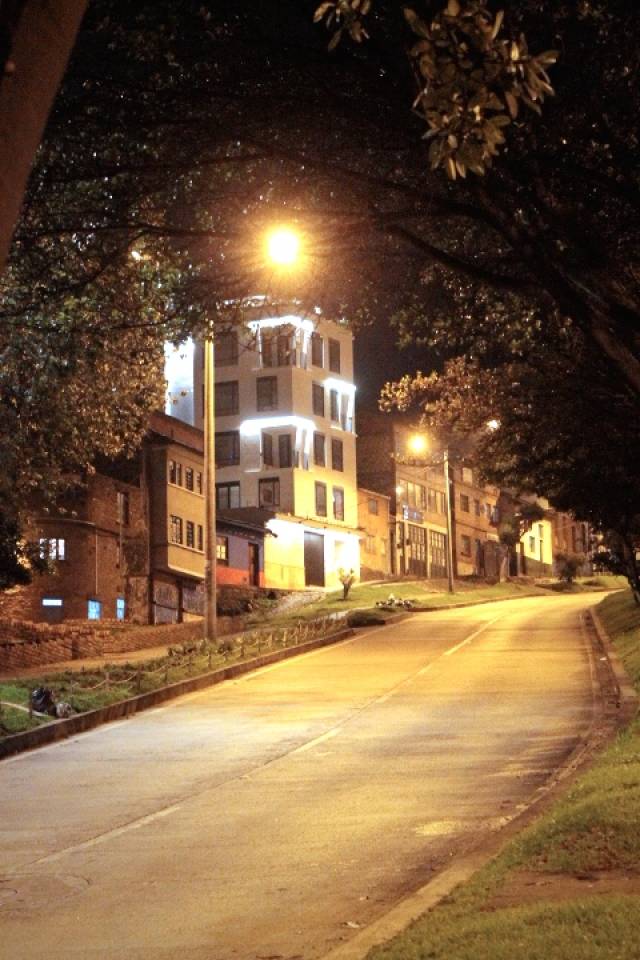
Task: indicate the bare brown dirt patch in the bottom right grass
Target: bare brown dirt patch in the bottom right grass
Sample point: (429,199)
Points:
(524,887)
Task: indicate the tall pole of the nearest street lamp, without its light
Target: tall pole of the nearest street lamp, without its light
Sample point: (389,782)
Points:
(210,538)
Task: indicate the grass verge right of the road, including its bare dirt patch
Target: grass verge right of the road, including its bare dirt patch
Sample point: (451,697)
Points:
(567,887)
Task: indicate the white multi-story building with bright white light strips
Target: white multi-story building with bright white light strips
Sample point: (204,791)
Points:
(285,439)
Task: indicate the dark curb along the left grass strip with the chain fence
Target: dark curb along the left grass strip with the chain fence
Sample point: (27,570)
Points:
(63,729)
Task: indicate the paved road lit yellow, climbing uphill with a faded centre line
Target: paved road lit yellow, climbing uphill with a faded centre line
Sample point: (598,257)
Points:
(275,815)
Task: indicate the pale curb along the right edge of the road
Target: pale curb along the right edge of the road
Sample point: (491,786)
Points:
(411,908)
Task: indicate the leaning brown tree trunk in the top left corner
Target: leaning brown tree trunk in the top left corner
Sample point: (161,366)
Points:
(37,37)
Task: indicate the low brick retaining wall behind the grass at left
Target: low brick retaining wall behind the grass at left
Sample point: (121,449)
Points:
(24,644)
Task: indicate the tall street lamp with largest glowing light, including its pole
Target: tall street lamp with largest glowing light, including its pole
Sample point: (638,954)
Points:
(282,250)
